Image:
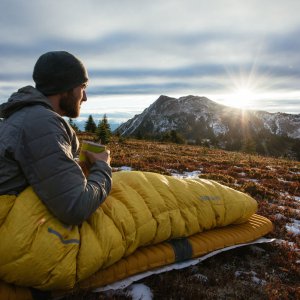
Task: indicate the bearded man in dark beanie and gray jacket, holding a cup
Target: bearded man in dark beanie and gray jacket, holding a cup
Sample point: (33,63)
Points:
(38,147)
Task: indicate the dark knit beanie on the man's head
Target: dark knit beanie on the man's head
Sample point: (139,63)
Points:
(57,72)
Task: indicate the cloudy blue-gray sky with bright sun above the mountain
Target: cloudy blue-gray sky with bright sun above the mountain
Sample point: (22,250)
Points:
(238,53)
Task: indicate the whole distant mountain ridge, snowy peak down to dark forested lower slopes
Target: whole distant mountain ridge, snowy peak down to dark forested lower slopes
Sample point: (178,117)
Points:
(202,121)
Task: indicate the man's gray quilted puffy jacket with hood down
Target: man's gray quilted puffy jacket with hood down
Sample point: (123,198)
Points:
(37,148)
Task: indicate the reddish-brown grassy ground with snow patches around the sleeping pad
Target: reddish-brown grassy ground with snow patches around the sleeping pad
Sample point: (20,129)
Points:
(265,271)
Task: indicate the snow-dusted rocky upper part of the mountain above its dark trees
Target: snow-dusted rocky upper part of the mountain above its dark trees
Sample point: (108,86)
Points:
(190,114)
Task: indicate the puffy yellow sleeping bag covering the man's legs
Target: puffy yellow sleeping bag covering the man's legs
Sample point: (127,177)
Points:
(37,250)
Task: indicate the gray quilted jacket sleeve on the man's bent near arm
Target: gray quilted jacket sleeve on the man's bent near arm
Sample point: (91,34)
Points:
(45,155)
